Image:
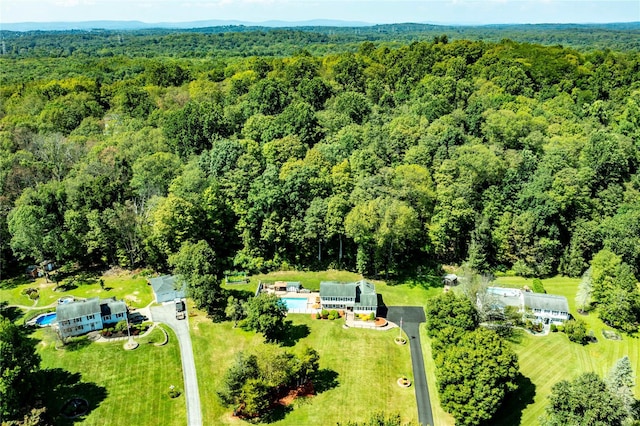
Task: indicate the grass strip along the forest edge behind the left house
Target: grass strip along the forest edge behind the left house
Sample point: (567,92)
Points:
(123,285)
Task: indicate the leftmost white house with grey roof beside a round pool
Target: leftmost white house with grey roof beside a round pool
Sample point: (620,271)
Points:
(83,316)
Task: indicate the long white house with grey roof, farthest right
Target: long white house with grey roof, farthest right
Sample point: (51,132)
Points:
(538,307)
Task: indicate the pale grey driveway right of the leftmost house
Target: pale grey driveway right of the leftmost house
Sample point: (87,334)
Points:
(167,314)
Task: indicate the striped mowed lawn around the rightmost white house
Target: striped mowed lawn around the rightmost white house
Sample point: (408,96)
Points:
(545,360)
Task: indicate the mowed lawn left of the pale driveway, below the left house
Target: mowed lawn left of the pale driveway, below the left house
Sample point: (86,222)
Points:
(122,387)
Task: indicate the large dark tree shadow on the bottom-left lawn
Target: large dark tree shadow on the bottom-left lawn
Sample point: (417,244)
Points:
(59,386)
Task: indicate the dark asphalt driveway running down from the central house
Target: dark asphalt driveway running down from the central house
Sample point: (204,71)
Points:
(411,317)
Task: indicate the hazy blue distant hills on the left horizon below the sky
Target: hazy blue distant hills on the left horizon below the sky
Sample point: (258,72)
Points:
(139,25)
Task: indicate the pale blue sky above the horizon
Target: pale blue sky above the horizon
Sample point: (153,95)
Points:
(370,11)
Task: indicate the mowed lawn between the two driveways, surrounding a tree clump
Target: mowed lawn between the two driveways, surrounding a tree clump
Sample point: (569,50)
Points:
(367,363)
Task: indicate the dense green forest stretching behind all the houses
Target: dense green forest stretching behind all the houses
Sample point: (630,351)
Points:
(383,160)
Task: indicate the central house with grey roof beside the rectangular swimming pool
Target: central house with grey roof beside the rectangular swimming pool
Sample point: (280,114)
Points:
(359,297)
